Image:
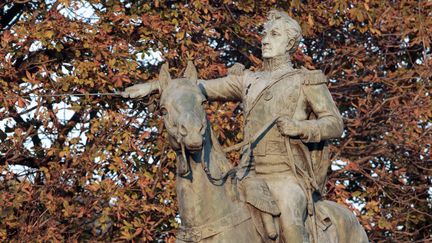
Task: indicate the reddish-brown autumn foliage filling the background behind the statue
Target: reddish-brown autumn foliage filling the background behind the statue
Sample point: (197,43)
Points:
(97,167)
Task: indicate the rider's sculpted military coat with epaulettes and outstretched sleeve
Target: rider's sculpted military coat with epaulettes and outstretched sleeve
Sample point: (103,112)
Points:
(299,94)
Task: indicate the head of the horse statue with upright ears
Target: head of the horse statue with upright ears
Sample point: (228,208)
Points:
(181,106)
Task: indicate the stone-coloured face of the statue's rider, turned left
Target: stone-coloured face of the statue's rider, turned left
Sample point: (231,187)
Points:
(275,41)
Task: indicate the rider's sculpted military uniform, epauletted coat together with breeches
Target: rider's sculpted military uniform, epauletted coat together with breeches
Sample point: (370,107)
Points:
(297,94)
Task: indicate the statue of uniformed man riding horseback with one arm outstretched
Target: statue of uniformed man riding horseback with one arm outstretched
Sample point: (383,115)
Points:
(288,156)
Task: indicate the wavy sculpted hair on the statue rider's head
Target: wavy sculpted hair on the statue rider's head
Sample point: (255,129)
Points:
(292,27)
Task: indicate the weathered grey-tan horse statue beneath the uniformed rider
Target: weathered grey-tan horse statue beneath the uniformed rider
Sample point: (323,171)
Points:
(211,205)
